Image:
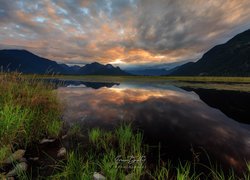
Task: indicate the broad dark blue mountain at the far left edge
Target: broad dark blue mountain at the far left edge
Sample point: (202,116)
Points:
(26,62)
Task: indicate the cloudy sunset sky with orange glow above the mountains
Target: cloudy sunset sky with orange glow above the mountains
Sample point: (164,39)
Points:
(121,32)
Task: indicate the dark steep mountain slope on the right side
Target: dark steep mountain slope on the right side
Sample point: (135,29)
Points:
(229,59)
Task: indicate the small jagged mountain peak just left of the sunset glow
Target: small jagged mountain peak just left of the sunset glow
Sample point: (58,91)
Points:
(100,69)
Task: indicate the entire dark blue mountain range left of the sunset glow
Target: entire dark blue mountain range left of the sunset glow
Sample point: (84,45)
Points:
(29,63)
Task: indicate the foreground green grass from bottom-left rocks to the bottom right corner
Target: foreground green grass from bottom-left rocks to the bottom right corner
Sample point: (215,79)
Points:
(110,163)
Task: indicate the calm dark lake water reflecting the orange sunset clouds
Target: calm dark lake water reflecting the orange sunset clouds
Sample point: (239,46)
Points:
(176,118)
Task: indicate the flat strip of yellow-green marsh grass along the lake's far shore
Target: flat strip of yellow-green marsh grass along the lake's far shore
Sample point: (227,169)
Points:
(210,82)
